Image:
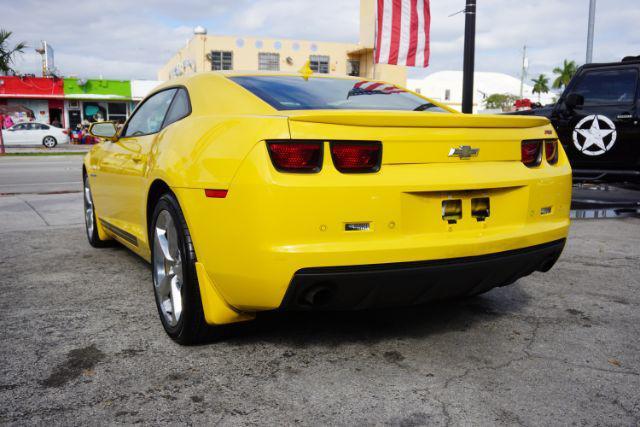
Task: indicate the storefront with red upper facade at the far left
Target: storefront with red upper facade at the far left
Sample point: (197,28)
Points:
(42,96)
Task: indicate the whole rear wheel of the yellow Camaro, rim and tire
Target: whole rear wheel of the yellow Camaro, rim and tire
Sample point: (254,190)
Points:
(175,282)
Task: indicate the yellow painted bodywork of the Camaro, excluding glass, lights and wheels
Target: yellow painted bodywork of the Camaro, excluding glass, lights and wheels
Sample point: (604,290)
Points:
(272,224)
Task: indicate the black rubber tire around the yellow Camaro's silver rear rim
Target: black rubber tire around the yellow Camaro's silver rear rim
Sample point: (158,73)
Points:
(191,327)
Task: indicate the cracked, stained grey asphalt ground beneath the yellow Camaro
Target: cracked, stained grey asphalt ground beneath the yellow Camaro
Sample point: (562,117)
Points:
(81,343)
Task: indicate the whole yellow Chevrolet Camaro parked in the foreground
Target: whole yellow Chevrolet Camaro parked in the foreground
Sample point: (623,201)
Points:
(252,192)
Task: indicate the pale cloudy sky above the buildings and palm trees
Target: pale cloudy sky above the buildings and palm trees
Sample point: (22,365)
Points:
(131,39)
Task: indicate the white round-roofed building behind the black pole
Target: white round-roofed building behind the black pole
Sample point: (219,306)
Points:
(446,87)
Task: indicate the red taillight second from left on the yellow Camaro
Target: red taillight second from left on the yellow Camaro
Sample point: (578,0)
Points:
(356,157)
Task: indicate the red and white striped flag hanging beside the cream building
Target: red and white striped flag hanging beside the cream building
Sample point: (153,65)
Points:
(402,32)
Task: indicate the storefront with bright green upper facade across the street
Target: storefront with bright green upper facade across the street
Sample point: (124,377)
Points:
(92,100)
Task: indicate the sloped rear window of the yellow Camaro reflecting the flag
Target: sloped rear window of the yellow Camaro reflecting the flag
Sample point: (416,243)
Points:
(318,93)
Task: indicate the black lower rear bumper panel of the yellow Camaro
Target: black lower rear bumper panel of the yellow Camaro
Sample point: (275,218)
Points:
(410,283)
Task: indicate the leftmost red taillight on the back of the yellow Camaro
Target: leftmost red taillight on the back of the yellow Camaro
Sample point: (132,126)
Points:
(296,156)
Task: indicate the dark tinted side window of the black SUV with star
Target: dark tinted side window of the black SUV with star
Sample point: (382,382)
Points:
(607,87)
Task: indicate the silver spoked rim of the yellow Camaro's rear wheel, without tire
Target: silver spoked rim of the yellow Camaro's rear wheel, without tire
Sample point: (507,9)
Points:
(167,268)
